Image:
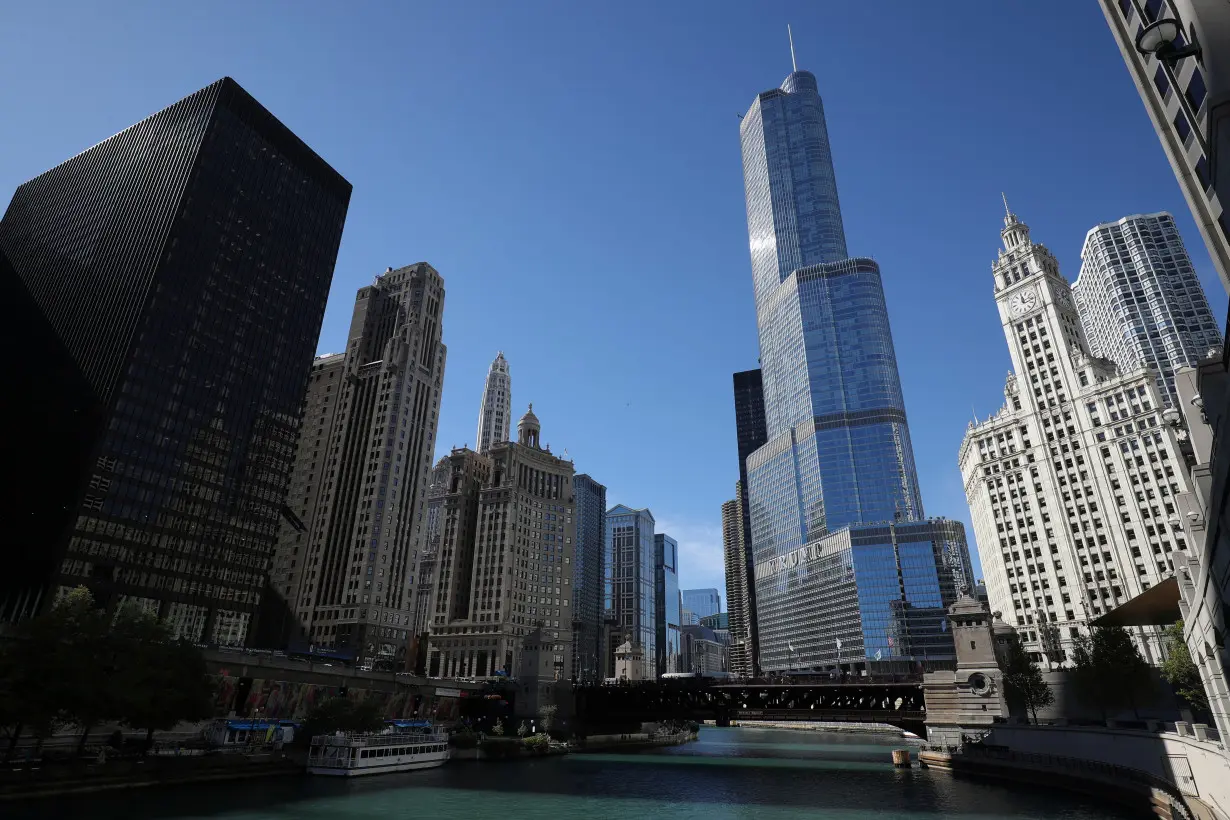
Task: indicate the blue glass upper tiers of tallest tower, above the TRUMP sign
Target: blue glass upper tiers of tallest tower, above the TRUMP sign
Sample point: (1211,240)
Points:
(839,448)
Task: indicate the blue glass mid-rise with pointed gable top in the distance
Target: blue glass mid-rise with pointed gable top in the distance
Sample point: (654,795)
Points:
(630,596)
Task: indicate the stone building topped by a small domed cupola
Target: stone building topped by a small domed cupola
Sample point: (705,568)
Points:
(504,593)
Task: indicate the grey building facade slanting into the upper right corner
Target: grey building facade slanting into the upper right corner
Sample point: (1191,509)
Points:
(1180,103)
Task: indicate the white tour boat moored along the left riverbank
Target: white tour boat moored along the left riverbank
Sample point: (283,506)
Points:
(404,747)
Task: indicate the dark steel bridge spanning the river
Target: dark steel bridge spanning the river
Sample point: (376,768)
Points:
(895,704)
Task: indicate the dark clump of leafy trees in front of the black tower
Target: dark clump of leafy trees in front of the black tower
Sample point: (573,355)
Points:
(79,666)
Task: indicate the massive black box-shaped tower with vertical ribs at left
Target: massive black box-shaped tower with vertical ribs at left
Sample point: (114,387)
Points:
(168,288)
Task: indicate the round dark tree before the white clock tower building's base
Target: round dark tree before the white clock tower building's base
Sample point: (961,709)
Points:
(1110,672)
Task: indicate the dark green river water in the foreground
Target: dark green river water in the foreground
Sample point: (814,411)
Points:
(739,773)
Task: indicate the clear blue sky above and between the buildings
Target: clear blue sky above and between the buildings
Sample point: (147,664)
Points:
(573,170)
